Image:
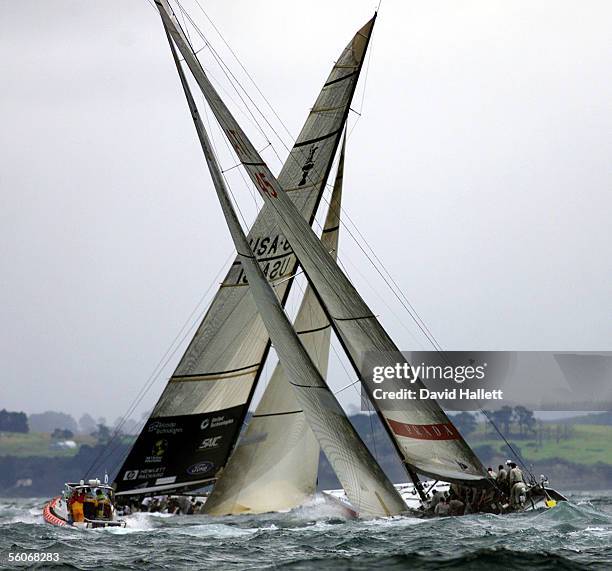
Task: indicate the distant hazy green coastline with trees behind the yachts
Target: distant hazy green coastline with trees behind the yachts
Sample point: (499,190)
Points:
(575,452)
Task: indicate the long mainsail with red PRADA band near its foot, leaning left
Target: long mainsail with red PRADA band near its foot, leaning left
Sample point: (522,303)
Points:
(426,438)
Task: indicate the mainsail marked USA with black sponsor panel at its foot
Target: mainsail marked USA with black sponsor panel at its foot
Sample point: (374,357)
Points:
(195,423)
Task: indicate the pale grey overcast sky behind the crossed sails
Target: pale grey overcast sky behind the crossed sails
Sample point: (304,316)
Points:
(479,172)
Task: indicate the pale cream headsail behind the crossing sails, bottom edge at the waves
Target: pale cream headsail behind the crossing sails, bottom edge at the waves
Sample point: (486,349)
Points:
(274,466)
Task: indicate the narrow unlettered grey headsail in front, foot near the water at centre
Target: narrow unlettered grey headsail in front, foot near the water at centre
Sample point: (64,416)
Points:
(365,483)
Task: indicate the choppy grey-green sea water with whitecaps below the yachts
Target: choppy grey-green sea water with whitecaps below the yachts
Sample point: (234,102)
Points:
(574,535)
